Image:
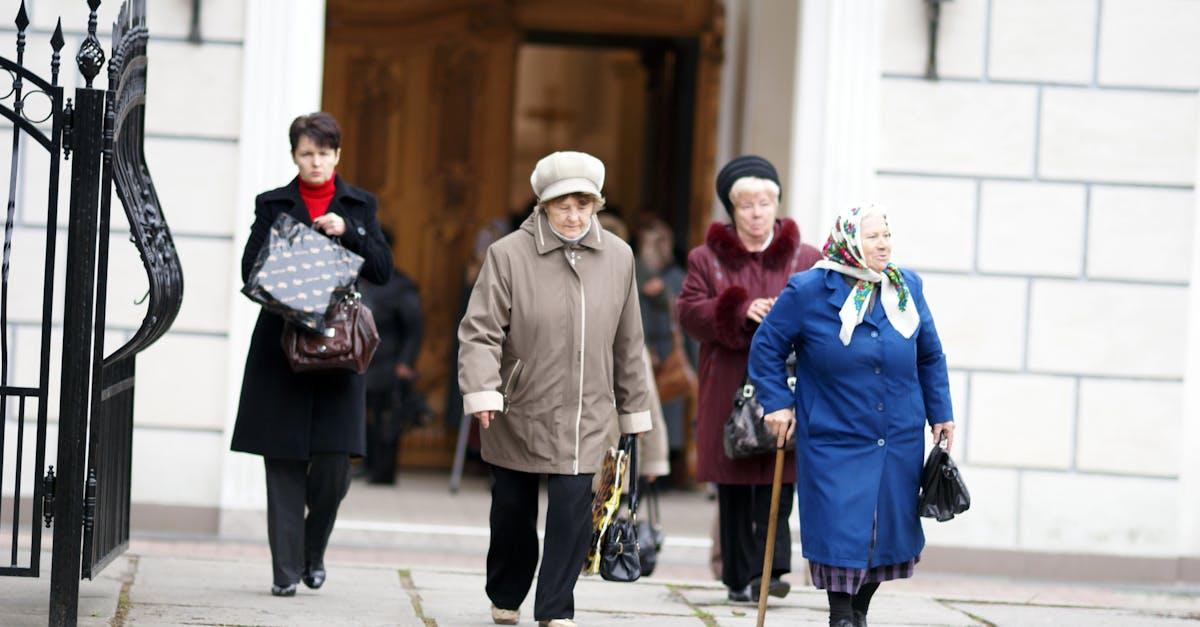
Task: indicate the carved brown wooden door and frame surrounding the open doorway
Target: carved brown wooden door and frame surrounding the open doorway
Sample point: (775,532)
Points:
(425,91)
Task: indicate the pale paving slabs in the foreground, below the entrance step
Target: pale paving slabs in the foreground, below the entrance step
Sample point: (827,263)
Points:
(226,583)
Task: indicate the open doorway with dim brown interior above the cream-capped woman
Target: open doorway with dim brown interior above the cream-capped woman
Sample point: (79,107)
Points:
(631,101)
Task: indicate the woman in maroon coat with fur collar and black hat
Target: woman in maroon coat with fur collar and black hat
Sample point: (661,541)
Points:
(733,283)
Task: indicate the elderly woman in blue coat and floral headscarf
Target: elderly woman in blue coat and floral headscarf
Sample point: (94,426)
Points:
(871,374)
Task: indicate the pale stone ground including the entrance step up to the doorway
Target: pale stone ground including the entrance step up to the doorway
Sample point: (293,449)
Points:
(413,556)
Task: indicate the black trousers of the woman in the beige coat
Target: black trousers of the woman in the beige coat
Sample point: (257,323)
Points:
(513,552)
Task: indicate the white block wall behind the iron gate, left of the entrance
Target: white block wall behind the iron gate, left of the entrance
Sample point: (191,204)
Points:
(194,127)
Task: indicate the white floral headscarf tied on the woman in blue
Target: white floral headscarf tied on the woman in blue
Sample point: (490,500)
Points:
(844,254)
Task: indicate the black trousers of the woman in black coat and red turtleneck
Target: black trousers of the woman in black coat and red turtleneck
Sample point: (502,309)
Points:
(299,541)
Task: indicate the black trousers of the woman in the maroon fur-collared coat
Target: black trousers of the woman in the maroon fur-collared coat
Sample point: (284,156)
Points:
(745,512)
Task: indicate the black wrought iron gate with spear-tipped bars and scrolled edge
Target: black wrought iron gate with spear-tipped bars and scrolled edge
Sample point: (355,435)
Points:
(87,497)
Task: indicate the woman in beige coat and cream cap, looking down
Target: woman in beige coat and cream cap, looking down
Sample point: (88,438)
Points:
(551,355)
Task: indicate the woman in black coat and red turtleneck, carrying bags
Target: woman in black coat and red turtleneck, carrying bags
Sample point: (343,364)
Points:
(307,426)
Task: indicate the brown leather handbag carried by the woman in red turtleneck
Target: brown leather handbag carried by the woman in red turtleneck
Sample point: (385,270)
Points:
(349,342)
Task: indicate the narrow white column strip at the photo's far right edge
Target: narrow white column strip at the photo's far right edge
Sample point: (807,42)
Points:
(1190,465)
